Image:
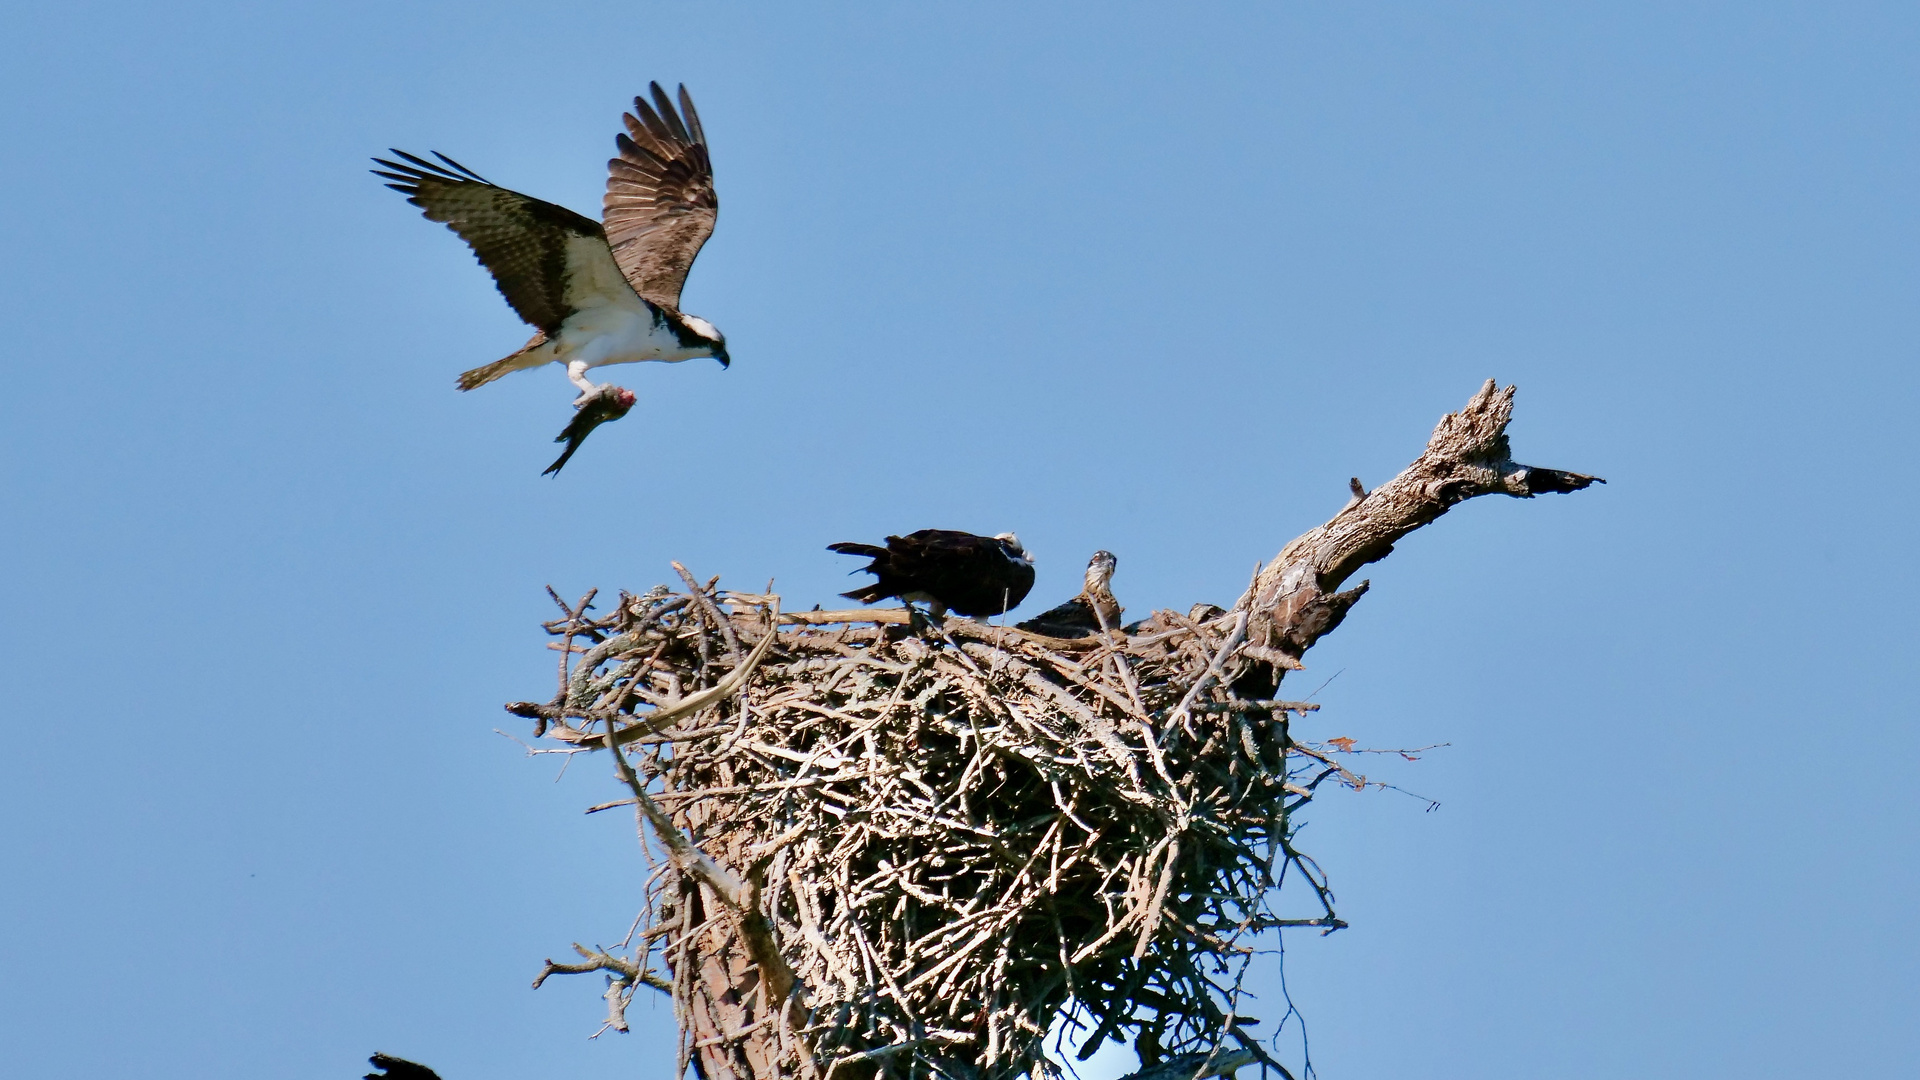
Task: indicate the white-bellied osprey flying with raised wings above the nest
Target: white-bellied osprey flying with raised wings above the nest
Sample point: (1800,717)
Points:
(594,291)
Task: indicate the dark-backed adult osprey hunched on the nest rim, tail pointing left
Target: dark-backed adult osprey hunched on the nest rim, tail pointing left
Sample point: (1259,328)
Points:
(948,570)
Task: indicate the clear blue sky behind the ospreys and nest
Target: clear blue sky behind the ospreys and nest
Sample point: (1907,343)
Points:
(1143,280)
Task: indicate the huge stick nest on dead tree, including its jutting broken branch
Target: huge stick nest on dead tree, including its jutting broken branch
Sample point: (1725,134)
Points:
(901,850)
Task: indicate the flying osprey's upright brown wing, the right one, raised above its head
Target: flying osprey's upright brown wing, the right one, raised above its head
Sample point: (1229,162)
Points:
(661,201)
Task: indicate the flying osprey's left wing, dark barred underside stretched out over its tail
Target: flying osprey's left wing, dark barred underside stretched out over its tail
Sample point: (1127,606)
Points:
(521,241)
